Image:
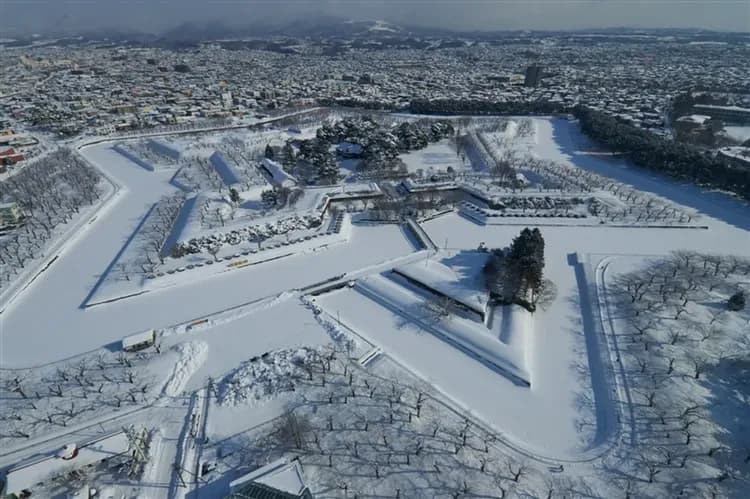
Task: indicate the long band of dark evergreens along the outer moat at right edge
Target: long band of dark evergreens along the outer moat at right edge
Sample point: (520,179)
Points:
(676,159)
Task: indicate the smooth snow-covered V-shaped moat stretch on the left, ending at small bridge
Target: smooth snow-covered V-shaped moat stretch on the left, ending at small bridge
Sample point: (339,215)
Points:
(80,266)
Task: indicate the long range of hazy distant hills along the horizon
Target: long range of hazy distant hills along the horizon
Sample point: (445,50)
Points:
(336,34)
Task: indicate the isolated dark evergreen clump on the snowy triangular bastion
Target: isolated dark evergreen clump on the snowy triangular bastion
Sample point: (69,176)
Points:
(515,274)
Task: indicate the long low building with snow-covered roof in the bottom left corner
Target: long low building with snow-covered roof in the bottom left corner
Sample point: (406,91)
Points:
(36,473)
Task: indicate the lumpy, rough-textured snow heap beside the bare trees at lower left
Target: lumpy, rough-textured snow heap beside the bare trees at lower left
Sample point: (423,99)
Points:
(261,378)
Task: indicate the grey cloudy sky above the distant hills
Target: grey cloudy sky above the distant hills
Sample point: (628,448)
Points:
(154,16)
